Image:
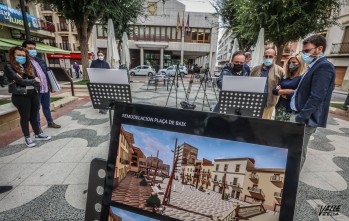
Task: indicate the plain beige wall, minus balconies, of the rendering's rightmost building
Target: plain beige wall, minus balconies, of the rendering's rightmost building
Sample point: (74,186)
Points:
(266,185)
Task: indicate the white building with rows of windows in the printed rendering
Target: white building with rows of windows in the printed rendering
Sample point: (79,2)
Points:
(228,175)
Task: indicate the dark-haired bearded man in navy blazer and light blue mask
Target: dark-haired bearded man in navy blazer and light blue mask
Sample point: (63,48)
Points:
(311,99)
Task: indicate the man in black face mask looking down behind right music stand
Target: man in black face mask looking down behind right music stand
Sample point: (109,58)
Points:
(234,68)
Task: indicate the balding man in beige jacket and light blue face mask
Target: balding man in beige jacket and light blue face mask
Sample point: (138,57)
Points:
(274,73)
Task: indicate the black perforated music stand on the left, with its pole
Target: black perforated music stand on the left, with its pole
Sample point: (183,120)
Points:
(104,96)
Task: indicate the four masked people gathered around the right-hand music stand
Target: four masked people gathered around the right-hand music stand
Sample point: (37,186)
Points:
(300,92)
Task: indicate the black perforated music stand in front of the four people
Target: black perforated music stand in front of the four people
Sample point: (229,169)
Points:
(248,104)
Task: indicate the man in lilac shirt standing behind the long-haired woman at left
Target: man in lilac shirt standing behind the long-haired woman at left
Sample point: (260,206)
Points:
(40,70)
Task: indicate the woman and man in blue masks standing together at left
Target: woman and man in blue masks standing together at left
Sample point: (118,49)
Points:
(30,87)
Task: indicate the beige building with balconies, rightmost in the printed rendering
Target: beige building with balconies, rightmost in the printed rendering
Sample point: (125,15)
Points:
(264,186)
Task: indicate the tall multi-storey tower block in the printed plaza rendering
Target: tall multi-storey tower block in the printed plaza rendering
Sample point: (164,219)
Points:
(187,155)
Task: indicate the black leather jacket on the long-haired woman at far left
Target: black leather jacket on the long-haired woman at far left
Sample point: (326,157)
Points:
(25,80)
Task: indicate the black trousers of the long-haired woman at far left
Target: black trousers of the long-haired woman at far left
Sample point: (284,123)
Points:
(27,106)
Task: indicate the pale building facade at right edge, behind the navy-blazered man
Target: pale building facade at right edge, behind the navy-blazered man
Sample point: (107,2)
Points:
(338,48)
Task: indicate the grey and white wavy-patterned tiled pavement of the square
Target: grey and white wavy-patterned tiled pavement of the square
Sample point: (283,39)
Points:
(50,180)
